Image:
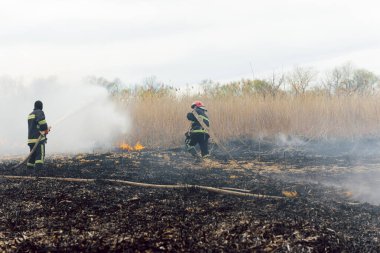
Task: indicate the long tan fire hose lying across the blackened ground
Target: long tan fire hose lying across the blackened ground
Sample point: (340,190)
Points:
(227,191)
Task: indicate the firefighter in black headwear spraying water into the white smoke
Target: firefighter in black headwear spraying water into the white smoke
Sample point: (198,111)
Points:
(37,126)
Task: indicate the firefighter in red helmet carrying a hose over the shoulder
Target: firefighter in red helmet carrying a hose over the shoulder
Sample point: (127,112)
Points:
(197,134)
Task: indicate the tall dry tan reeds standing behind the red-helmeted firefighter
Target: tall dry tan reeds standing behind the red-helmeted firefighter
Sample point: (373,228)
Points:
(161,121)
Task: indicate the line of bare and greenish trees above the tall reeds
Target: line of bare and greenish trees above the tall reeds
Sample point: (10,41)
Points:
(344,80)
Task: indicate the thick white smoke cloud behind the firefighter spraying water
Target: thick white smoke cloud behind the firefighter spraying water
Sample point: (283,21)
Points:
(82,116)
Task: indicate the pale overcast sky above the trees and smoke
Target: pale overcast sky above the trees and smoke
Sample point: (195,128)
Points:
(183,42)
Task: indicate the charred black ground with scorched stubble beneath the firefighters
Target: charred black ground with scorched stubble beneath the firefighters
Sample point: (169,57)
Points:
(326,215)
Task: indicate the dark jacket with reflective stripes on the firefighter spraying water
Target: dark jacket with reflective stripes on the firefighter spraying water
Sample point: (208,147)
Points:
(36,123)
